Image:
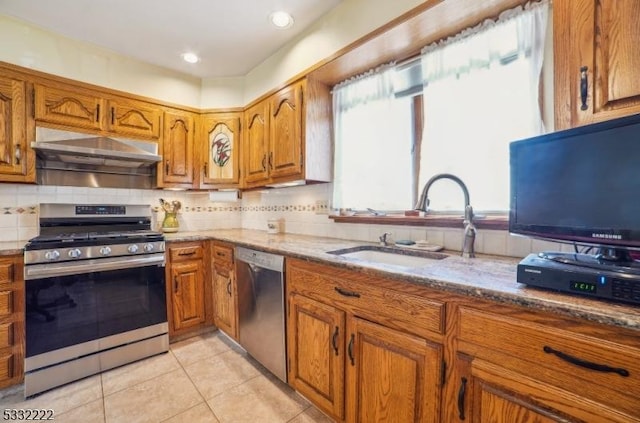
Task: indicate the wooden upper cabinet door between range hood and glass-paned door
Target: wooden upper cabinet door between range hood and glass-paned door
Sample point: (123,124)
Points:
(177,150)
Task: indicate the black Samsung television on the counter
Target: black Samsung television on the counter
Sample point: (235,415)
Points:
(580,185)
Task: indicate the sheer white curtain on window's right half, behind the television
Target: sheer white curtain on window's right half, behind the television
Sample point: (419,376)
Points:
(481,91)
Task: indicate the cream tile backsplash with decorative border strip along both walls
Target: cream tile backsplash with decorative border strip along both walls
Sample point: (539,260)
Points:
(301,210)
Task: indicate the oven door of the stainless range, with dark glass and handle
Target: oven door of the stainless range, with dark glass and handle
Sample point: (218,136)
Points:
(72,303)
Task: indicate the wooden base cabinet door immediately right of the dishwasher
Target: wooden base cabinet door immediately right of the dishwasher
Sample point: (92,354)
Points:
(316,352)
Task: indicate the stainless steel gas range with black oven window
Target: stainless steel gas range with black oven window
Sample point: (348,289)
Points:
(95,292)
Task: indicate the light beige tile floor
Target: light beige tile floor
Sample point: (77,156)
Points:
(206,378)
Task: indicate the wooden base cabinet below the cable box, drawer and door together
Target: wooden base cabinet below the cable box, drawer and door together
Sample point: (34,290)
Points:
(514,365)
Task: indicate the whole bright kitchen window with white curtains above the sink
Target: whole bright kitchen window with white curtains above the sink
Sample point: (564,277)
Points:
(478,91)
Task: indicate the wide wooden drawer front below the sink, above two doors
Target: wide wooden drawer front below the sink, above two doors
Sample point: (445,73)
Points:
(365,297)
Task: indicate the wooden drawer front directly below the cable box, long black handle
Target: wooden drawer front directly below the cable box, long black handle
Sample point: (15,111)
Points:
(605,371)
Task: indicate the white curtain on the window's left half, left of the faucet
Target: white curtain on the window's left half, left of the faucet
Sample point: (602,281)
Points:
(372,143)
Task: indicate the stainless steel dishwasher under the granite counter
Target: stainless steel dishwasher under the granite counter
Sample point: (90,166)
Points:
(261,309)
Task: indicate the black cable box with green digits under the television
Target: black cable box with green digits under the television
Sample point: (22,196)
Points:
(610,281)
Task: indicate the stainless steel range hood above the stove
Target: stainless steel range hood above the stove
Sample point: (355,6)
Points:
(75,159)
